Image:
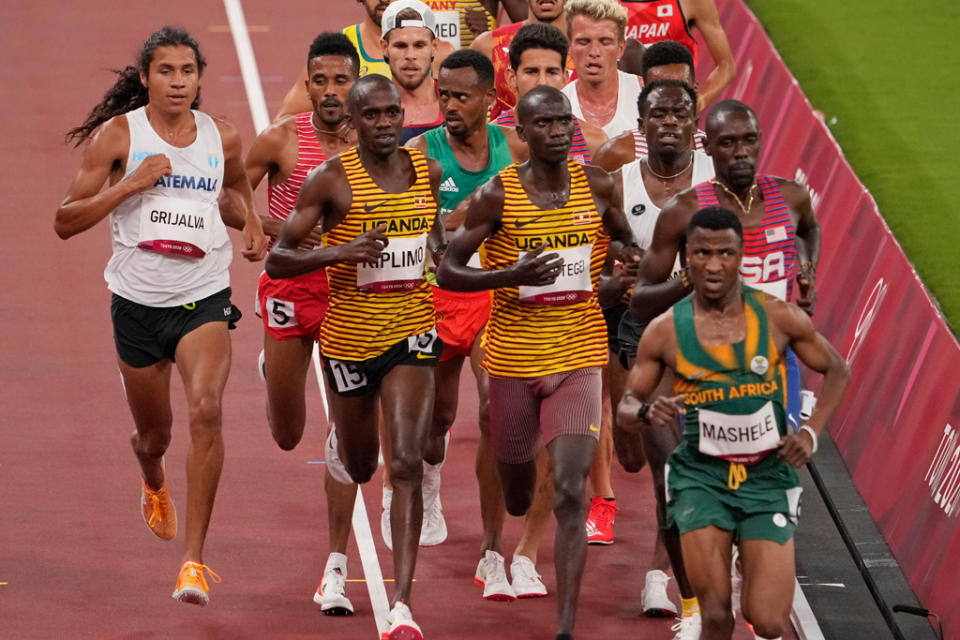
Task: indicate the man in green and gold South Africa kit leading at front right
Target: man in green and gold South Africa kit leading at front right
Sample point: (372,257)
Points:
(732,480)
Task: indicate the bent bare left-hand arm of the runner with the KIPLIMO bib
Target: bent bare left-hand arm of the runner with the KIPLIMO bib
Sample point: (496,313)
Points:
(324,200)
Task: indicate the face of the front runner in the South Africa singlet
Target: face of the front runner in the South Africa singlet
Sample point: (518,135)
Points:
(714,259)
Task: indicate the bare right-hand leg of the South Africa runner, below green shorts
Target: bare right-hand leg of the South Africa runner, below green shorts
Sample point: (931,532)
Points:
(768,583)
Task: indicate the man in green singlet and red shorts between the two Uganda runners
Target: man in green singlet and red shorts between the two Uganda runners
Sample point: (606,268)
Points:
(470,152)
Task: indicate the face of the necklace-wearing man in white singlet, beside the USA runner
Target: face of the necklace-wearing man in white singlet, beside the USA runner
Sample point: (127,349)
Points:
(668,120)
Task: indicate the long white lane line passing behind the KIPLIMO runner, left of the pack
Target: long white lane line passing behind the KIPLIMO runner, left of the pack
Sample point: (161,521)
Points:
(361,524)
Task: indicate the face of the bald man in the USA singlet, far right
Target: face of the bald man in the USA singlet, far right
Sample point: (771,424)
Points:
(733,140)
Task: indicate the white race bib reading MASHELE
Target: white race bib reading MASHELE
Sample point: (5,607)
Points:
(745,439)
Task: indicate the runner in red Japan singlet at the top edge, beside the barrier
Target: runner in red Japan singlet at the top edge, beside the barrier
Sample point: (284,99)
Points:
(651,21)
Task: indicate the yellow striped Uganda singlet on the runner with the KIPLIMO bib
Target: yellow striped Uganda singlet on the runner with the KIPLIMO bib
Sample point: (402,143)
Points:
(362,324)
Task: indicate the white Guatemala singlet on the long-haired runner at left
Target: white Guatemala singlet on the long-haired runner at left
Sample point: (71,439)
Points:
(181,205)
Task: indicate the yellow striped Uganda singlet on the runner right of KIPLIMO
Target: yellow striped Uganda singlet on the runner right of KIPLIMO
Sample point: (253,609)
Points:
(529,338)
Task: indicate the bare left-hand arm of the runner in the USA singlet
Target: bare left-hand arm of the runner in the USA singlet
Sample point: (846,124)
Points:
(655,292)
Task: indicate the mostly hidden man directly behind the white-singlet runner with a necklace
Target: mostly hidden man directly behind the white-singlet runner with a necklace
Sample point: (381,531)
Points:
(666,60)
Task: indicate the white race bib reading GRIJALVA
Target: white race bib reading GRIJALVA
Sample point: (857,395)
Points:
(176,225)
